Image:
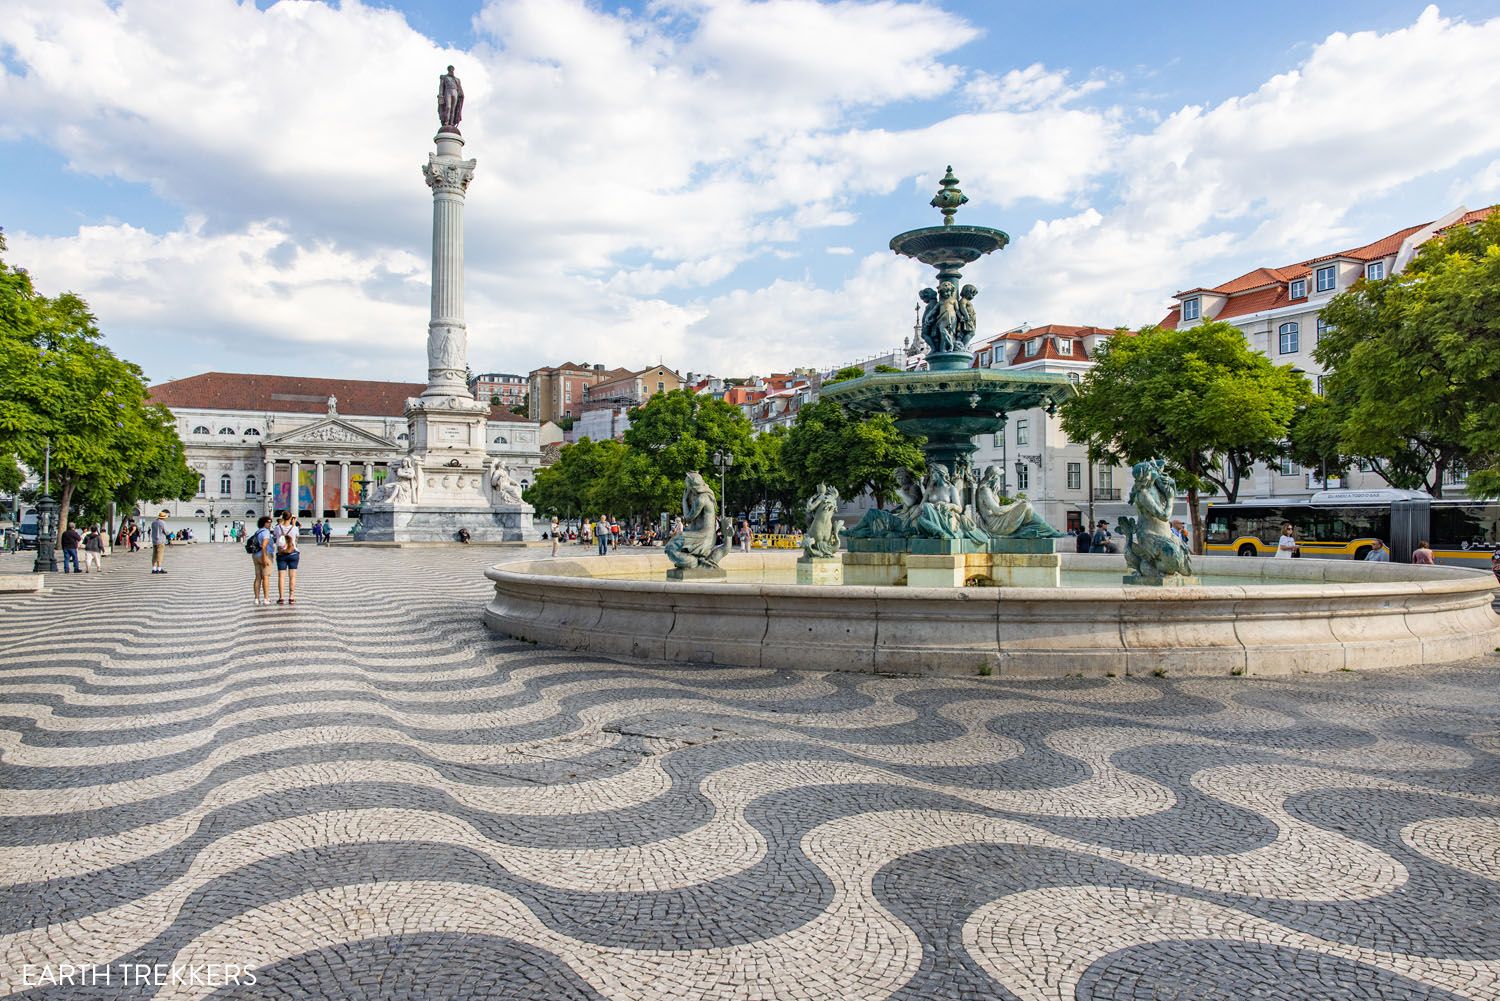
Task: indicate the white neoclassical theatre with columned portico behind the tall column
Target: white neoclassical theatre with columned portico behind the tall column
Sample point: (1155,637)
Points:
(260,440)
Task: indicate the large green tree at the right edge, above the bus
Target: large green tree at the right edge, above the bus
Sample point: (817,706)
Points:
(1414,365)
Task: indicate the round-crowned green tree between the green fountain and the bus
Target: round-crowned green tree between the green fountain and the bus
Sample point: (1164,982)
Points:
(1199,398)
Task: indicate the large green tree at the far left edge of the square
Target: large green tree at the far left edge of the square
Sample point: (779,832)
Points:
(70,394)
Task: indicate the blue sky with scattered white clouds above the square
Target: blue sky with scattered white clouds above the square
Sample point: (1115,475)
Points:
(710,184)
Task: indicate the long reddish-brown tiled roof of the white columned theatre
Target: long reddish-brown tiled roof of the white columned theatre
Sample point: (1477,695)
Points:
(296,395)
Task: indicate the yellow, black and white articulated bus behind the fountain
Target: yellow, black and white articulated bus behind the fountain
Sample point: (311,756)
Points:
(1343,525)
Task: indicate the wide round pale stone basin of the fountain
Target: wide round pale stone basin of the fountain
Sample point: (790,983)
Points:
(1277,618)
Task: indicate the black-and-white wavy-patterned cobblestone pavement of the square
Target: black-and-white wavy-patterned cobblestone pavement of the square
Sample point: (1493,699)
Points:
(367,796)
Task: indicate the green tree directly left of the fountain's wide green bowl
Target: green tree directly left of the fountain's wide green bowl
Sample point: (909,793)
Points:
(827,445)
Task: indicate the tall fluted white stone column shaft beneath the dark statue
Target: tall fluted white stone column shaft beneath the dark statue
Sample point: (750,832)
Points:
(448,335)
